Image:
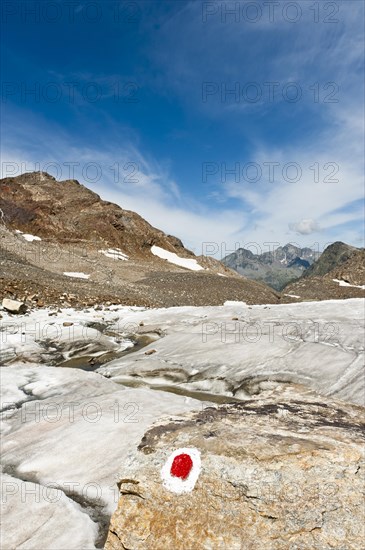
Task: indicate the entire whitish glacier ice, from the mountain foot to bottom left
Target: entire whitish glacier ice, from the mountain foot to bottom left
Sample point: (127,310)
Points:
(73,430)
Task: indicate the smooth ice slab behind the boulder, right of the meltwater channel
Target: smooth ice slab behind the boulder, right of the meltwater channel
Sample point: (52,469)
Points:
(318,344)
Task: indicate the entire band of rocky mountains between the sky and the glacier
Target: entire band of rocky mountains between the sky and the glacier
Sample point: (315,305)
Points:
(61,244)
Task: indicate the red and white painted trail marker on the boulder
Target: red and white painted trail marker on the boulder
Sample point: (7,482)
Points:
(181,470)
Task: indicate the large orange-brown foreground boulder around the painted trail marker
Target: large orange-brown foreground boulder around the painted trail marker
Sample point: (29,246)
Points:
(282,471)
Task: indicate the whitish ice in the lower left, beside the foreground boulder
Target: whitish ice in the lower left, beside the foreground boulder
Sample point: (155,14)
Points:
(73,431)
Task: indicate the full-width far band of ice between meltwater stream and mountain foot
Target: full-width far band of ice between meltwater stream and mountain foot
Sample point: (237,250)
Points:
(205,348)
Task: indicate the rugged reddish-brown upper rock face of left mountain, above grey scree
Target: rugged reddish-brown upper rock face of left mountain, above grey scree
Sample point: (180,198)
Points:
(36,202)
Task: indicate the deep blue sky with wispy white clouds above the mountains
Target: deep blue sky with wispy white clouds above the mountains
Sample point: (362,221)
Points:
(216,126)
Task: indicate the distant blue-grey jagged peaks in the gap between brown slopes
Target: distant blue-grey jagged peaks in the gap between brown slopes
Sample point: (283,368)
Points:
(275,268)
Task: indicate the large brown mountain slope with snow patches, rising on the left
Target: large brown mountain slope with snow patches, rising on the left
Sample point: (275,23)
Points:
(49,228)
